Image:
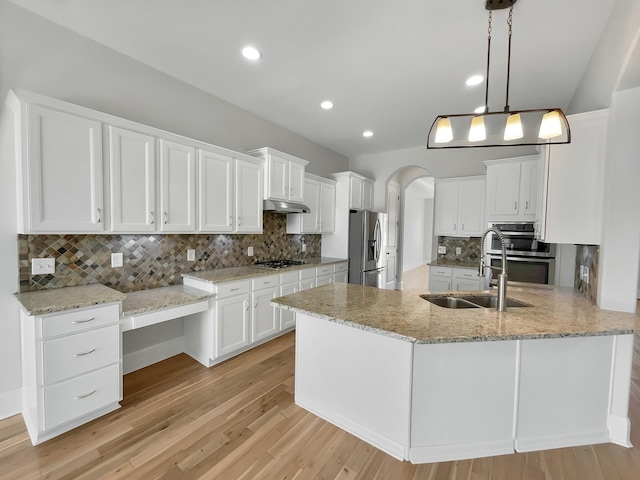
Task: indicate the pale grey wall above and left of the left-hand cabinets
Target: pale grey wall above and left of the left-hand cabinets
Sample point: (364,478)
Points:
(42,57)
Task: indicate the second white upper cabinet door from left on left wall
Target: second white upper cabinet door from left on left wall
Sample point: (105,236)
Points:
(133,181)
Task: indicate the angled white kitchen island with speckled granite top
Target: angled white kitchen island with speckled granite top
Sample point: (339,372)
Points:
(426,383)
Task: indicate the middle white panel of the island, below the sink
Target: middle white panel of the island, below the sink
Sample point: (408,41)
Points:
(463,400)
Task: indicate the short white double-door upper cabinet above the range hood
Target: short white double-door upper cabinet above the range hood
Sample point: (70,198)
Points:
(284,175)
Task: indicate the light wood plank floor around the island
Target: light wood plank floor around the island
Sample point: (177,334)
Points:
(238,420)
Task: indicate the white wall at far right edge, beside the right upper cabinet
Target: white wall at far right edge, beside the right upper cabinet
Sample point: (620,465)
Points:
(620,250)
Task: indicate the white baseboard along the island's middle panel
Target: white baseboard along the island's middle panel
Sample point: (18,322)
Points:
(462,451)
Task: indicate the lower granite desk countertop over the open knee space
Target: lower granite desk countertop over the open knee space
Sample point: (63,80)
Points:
(146,301)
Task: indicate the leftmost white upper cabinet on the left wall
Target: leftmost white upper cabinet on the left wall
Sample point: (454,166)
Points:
(60,165)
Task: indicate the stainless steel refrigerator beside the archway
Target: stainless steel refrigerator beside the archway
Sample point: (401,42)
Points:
(367,249)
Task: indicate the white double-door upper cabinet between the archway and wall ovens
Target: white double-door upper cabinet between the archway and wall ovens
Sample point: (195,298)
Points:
(460,207)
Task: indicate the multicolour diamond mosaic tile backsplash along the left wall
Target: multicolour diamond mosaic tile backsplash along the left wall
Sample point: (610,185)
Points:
(154,260)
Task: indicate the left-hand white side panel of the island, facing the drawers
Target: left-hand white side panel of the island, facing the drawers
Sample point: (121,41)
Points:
(358,380)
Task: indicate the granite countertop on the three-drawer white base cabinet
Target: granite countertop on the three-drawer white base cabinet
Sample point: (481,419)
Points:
(67,298)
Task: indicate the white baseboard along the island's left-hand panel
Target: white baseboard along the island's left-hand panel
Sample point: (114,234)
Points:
(372,437)
